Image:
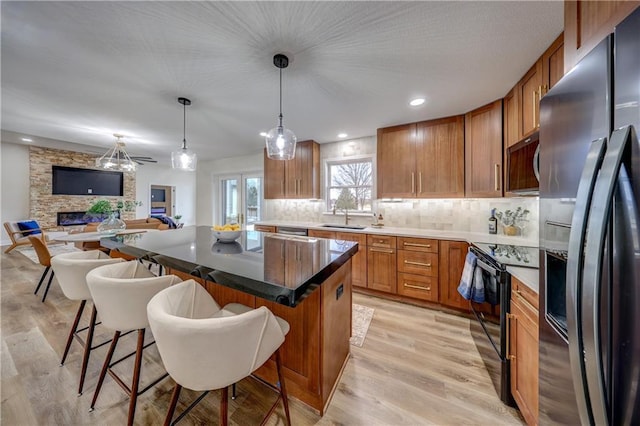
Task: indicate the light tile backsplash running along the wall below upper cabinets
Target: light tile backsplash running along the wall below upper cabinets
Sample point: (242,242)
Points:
(456,214)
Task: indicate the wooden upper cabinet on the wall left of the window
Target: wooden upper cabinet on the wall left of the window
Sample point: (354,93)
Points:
(297,178)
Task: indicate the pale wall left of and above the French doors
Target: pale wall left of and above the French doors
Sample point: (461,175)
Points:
(207,203)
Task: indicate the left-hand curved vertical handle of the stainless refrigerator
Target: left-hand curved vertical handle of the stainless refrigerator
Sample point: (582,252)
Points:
(575,261)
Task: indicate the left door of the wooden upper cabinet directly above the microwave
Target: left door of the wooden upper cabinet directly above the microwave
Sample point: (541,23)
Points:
(529,93)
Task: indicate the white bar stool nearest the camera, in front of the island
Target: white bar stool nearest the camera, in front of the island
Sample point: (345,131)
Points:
(204,347)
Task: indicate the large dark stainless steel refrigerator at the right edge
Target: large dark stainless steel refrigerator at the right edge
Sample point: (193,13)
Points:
(590,239)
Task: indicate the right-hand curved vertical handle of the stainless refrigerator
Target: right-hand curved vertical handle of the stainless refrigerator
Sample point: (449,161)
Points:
(592,283)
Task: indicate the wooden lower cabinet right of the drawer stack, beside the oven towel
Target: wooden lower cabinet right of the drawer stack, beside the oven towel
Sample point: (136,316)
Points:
(452,258)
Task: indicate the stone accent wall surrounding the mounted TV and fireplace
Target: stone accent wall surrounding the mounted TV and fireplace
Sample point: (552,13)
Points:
(43,206)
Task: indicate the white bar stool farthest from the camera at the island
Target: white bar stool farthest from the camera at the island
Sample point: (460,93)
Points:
(71,270)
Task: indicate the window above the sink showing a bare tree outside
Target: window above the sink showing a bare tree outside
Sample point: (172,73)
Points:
(350,180)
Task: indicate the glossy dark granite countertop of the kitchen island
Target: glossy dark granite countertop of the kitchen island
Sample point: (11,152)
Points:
(281,268)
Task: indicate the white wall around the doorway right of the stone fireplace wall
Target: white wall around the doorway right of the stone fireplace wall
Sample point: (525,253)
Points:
(183,182)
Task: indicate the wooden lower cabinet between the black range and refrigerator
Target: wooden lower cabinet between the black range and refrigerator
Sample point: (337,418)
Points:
(523,349)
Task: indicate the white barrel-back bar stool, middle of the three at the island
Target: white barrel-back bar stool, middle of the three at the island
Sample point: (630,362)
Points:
(121,292)
